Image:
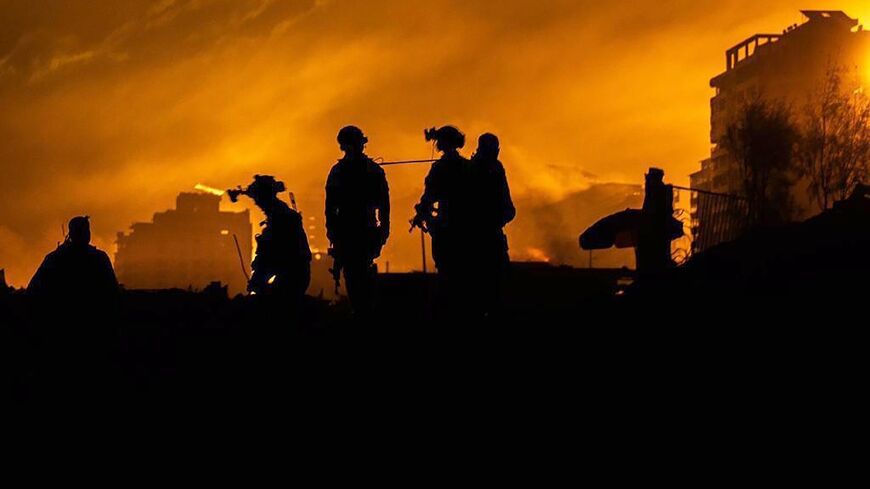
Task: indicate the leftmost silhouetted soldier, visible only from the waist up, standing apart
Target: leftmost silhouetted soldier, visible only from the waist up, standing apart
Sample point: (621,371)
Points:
(76,272)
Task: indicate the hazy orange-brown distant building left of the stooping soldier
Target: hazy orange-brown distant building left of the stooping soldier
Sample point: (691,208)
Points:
(187,247)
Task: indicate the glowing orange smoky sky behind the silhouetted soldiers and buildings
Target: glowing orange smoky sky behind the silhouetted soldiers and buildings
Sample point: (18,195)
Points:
(111,108)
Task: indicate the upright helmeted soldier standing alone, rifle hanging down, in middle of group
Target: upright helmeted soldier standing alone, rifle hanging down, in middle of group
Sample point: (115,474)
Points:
(357,217)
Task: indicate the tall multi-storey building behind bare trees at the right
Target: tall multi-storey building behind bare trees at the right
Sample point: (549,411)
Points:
(787,67)
